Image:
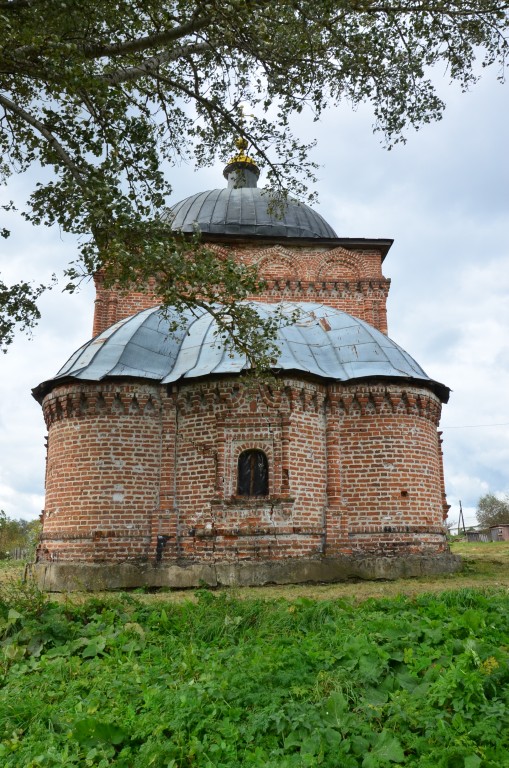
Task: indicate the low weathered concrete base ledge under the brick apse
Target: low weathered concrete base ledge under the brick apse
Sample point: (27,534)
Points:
(96,577)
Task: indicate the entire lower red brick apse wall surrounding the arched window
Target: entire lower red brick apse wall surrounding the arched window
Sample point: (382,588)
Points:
(351,469)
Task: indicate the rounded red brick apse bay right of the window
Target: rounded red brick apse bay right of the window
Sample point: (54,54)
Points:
(390,482)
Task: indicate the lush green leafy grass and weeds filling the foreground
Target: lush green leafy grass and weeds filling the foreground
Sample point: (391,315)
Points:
(220,681)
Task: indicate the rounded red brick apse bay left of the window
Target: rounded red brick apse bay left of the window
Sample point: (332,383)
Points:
(102,483)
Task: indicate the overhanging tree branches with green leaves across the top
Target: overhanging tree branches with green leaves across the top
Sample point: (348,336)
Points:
(101,98)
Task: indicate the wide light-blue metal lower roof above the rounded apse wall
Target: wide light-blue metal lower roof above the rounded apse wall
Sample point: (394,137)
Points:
(322,341)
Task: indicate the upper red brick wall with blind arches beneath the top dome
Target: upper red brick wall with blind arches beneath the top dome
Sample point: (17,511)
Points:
(351,281)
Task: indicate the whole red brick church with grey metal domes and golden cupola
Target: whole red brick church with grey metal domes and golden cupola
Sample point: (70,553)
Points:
(167,467)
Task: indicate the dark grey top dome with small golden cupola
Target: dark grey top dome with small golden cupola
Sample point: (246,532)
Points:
(243,209)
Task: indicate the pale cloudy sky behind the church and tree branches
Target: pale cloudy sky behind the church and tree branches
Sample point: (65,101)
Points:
(443,197)
